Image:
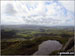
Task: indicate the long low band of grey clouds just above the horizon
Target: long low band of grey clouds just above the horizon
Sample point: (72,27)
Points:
(41,21)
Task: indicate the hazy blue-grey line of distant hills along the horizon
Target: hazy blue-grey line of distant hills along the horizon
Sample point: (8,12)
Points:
(35,27)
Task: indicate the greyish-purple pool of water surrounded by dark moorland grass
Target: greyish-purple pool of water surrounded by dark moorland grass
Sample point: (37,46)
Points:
(47,47)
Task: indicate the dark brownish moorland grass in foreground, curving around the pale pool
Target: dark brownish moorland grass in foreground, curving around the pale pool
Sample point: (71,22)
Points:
(19,47)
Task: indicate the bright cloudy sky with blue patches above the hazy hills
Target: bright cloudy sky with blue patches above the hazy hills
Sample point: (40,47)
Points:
(48,13)
